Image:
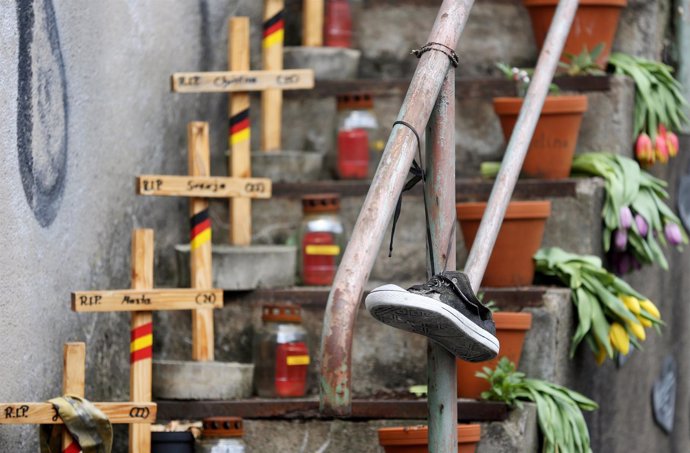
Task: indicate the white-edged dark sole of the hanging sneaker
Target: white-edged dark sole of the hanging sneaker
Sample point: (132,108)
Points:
(423,315)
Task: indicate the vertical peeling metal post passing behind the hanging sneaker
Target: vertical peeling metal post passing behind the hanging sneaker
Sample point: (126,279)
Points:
(441,369)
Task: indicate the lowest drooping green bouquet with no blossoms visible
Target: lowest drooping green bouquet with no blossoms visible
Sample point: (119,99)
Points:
(559,409)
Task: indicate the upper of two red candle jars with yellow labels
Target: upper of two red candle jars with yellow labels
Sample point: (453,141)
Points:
(321,238)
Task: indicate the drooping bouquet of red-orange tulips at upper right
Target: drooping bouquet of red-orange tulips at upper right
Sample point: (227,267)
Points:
(659,105)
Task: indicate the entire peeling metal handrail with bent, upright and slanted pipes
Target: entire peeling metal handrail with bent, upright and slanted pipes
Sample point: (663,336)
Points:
(425,94)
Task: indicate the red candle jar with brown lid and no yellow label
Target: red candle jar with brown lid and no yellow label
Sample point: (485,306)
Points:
(357,135)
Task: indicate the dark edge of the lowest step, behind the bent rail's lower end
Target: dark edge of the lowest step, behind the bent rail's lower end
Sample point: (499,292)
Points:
(308,408)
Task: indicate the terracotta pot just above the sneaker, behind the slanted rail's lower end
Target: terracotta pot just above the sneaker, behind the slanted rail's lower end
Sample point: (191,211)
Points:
(518,240)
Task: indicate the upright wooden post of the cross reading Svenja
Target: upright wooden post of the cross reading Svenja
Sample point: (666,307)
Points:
(200,243)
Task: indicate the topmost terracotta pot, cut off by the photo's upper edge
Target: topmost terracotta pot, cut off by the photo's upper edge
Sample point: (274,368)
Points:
(595,22)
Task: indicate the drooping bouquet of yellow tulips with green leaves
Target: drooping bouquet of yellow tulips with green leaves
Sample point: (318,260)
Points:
(612,316)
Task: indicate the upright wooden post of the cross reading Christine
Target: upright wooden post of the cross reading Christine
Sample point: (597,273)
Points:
(239,160)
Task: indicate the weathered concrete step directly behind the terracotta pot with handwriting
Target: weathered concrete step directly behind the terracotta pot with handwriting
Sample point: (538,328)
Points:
(309,117)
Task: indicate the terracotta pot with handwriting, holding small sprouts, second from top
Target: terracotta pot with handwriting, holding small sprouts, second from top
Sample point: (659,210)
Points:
(550,154)
